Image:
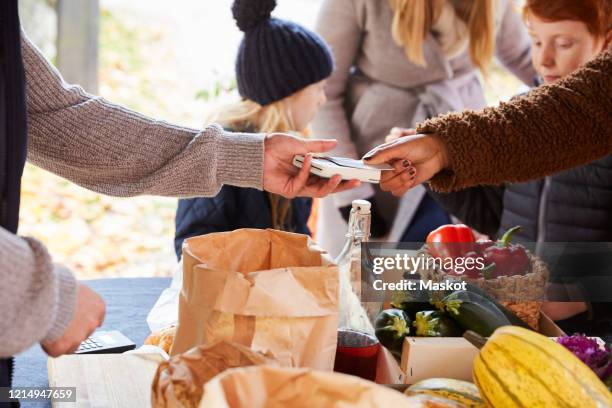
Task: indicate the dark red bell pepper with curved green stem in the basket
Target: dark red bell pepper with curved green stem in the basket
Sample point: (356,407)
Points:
(509,259)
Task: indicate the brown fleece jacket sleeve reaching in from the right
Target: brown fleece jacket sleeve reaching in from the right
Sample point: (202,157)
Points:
(552,128)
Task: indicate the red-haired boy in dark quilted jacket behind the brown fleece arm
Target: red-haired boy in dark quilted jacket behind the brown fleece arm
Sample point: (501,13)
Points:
(571,206)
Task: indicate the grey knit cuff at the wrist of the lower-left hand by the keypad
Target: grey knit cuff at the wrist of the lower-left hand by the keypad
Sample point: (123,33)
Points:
(66,302)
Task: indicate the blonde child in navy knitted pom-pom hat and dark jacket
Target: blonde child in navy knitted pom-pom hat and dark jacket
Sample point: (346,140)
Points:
(281,69)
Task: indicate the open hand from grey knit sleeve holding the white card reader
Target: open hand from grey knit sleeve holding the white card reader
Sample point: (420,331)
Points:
(282,177)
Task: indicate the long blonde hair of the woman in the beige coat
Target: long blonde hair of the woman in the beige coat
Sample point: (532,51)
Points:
(412,20)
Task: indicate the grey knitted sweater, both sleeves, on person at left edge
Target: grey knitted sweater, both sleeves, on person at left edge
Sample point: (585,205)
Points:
(111,150)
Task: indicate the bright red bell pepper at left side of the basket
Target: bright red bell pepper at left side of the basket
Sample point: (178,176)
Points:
(450,241)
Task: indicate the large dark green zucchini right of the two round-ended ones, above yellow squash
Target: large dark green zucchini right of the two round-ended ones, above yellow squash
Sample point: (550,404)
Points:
(473,312)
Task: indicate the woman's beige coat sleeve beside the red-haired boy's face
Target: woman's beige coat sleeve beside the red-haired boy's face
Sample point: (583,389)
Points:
(513,46)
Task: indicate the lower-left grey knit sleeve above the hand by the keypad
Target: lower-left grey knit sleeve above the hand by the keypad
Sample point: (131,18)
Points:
(38,297)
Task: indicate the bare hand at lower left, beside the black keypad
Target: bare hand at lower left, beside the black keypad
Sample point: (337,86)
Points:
(88,315)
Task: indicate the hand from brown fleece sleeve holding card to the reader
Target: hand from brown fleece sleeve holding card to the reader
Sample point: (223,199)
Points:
(416,159)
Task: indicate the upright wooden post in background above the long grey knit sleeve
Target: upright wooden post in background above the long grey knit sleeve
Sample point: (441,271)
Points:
(77,42)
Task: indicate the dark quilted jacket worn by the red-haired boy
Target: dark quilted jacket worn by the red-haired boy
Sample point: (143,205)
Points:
(571,206)
